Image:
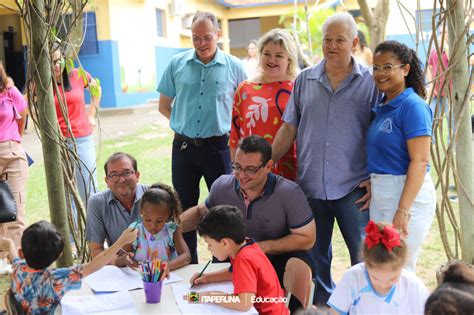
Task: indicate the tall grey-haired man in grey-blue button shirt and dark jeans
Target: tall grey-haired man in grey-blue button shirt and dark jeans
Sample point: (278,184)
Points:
(329,113)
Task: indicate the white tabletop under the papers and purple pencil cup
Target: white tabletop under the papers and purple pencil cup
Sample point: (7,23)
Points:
(168,303)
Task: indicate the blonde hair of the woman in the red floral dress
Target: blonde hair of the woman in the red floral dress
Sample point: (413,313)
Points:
(285,40)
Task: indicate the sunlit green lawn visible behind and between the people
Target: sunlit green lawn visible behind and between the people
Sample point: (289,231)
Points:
(152,148)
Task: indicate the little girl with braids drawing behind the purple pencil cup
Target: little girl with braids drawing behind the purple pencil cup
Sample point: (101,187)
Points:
(159,233)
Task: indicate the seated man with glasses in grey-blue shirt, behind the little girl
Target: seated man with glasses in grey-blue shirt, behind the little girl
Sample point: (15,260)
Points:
(111,211)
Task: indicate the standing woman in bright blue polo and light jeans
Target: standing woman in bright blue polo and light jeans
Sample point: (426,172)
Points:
(398,147)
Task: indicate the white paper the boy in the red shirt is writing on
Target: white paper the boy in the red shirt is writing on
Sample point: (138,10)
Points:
(181,290)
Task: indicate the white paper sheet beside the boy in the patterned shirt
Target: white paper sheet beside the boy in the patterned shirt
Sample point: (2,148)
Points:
(114,303)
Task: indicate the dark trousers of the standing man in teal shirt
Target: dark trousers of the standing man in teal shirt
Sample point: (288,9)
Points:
(189,164)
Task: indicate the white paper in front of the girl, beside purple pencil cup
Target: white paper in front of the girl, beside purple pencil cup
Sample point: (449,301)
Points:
(113,279)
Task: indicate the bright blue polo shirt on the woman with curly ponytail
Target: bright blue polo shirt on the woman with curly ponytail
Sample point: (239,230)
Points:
(405,117)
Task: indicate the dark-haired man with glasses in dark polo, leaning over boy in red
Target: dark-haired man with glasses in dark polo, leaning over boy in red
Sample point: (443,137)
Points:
(276,211)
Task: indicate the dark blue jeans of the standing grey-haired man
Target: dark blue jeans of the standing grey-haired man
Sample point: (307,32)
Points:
(351,222)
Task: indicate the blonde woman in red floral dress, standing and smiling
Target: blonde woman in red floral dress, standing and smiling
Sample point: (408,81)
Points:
(259,102)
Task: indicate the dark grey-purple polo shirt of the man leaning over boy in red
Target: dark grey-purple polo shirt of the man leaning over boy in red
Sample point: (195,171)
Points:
(281,207)
